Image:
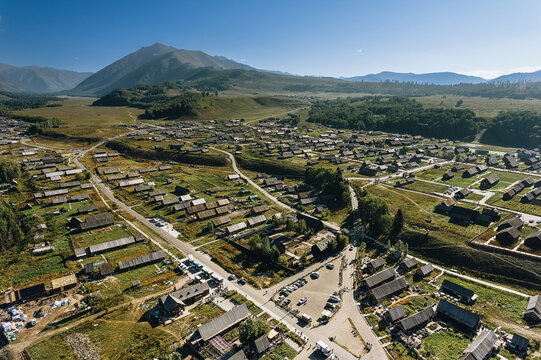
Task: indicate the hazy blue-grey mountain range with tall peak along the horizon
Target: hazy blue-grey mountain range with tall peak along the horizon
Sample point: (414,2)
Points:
(160,63)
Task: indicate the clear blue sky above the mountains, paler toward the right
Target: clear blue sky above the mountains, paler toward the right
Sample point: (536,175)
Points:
(308,37)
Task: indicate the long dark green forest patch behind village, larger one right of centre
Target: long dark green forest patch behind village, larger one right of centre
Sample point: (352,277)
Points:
(395,114)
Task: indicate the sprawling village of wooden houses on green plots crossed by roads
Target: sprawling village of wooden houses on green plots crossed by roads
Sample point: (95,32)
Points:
(207,231)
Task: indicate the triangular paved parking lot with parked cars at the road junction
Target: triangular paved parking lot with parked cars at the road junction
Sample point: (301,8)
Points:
(317,291)
